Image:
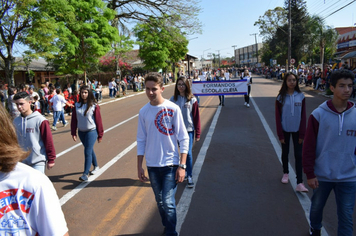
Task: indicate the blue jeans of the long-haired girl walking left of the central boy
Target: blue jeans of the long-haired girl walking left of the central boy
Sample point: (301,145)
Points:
(88,139)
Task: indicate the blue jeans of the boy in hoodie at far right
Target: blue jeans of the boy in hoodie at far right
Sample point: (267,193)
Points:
(345,193)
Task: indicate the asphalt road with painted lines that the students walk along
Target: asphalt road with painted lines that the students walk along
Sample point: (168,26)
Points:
(237,172)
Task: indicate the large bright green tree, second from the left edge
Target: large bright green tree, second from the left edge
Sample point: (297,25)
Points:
(85,35)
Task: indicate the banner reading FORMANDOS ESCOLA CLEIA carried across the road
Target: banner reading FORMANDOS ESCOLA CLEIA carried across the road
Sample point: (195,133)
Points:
(215,88)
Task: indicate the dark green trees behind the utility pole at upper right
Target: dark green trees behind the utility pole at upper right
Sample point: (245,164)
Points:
(309,34)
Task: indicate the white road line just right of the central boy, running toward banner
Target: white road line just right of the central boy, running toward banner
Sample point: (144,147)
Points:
(186,198)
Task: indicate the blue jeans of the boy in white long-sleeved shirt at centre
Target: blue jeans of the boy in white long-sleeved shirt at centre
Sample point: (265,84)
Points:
(164,187)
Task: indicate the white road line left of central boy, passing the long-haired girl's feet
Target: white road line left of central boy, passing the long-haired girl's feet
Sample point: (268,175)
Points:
(81,186)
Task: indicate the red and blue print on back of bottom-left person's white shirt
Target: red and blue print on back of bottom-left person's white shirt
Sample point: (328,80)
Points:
(12,201)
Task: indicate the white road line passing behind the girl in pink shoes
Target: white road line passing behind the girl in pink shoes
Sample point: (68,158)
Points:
(302,197)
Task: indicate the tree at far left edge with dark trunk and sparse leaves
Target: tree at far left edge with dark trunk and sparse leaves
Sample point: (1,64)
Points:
(23,22)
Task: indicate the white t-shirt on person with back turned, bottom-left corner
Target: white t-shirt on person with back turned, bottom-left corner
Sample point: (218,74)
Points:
(29,204)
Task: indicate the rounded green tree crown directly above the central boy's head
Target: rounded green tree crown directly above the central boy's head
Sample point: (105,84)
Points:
(160,44)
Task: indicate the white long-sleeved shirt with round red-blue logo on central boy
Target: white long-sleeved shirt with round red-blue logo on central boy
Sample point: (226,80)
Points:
(159,130)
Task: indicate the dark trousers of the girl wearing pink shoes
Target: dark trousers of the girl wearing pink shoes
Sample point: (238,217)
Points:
(297,154)
